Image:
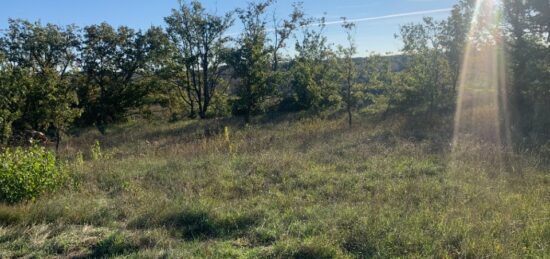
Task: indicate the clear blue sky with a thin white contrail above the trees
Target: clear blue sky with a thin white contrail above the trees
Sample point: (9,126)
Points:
(377,20)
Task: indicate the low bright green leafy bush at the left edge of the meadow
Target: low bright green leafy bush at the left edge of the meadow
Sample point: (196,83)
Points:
(27,173)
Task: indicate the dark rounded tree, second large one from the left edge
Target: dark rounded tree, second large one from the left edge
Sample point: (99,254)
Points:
(114,63)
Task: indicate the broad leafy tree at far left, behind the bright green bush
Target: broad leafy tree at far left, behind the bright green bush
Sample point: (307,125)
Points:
(41,59)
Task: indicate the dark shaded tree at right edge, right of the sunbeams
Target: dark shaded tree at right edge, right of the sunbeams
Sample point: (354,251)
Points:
(527,29)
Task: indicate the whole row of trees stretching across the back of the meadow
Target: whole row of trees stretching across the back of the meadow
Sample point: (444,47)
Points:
(56,77)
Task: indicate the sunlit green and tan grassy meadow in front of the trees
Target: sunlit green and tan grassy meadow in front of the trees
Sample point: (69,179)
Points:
(292,188)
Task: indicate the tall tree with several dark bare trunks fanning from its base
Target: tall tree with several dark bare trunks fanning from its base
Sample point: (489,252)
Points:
(199,40)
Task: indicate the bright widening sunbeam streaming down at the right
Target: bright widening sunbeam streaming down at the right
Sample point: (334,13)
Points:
(481,124)
